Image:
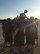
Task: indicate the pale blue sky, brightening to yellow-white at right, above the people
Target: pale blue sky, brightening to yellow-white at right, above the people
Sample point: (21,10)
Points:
(9,8)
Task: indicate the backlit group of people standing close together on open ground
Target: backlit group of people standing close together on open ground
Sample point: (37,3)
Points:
(19,28)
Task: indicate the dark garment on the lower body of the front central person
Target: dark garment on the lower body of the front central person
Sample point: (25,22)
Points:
(19,38)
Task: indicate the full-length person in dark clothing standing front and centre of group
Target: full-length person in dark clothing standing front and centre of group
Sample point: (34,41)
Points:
(19,37)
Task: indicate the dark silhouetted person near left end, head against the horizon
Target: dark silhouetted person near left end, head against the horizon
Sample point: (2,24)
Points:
(9,30)
